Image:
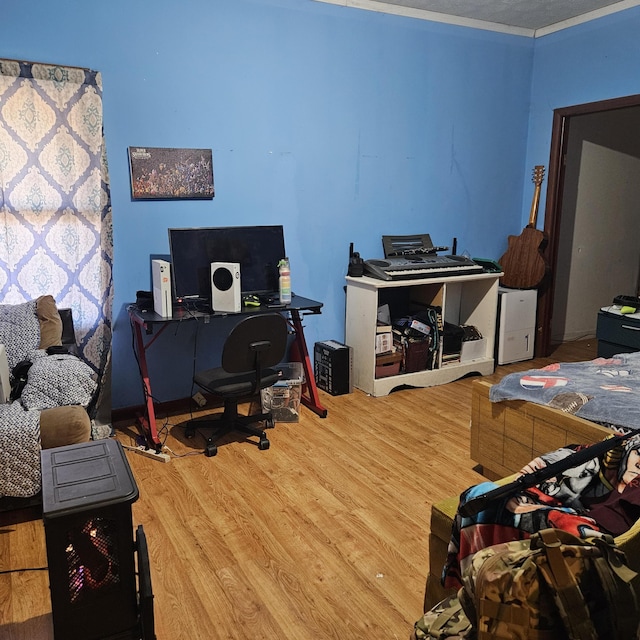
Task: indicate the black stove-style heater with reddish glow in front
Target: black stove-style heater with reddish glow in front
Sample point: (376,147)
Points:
(98,590)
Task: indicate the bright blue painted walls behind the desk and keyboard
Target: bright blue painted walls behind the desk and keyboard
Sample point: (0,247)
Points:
(341,124)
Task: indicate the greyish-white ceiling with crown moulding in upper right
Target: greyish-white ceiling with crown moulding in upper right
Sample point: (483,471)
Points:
(523,17)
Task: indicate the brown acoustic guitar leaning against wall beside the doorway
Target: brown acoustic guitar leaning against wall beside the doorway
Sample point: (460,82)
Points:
(522,263)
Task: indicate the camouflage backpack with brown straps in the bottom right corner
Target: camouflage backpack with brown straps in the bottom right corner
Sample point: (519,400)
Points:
(552,586)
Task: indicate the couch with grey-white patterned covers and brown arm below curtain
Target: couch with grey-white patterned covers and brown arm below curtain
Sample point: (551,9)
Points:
(51,410)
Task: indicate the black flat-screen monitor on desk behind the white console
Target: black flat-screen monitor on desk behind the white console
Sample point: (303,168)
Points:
(257,249)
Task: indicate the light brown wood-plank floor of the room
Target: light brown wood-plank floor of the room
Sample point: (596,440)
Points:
(323,536)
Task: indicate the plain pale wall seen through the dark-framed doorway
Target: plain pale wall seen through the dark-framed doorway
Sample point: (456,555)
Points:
(599,251)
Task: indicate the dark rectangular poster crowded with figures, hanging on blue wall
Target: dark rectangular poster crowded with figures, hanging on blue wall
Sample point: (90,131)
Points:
(171,174)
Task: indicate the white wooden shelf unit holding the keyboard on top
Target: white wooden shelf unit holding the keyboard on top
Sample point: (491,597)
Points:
(465,299)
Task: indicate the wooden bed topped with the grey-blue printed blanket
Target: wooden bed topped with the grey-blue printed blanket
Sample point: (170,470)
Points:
(536,411)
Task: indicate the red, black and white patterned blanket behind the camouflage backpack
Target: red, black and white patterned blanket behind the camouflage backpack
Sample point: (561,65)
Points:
(600,496)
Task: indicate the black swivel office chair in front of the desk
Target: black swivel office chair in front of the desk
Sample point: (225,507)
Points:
(250,352)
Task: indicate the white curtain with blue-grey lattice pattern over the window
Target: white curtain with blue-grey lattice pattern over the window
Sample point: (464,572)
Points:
(55,208)
